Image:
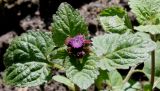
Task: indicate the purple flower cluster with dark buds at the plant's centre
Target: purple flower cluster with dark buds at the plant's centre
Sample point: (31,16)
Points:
(77,46)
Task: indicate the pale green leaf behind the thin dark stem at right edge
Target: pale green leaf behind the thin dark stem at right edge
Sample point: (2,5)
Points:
(147,66)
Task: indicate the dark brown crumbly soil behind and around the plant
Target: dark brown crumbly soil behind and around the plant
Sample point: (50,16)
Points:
(18,16)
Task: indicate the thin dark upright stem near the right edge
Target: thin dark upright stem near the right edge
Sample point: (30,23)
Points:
(152,64)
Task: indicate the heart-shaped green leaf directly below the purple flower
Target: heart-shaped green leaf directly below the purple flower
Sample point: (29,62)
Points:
(83,75)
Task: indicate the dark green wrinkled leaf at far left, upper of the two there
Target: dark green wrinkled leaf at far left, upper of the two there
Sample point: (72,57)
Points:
(33,45)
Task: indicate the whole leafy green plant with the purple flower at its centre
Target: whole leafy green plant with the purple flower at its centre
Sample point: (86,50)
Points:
(31,56)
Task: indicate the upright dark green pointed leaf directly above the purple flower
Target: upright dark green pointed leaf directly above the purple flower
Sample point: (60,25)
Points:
(67,22)
